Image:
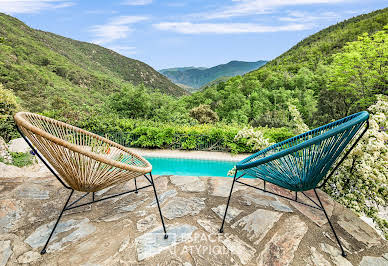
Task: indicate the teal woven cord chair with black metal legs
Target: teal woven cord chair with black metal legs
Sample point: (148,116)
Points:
(302,163)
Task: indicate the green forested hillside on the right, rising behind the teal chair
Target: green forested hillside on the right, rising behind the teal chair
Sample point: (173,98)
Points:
(328,75)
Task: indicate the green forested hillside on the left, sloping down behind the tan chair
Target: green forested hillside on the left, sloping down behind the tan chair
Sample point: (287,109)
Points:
(45,69)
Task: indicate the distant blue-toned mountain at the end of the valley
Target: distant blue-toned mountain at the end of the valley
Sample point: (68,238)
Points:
(198,77)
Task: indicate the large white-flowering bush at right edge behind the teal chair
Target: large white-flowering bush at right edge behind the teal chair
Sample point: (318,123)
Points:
(361,183)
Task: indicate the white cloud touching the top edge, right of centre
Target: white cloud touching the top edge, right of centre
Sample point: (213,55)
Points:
(254,7)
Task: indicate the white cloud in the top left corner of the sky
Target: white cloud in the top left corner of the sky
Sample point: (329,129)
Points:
(31,6)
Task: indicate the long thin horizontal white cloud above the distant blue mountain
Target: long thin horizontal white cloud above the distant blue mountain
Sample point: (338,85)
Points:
(226,28)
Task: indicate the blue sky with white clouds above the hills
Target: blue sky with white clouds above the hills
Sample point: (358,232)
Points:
(171,33)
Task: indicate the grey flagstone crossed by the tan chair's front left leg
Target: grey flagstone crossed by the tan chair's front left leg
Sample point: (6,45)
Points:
(78,228)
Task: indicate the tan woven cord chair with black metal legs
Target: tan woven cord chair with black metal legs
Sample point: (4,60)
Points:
(81,160)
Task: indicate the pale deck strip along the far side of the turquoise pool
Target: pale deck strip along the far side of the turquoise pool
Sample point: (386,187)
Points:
(201,155)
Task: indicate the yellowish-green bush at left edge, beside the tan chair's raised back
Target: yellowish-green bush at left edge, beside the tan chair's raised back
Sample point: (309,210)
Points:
(8,107)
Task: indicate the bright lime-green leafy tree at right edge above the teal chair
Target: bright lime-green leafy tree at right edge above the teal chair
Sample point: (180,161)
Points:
(360,71)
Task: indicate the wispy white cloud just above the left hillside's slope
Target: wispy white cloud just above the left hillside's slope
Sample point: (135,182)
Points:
(117,28)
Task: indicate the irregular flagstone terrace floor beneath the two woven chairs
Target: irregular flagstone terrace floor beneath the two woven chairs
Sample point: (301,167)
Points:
(261,229)
